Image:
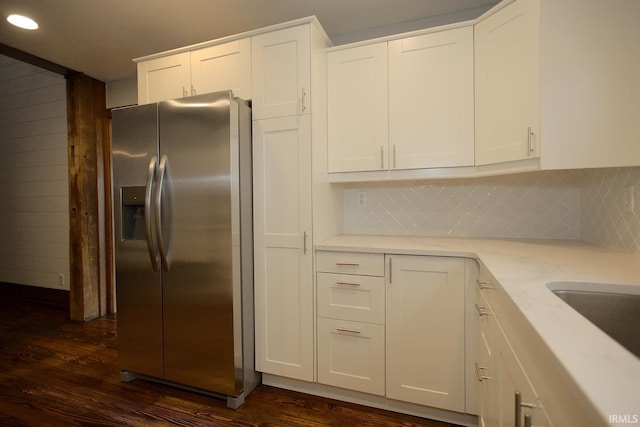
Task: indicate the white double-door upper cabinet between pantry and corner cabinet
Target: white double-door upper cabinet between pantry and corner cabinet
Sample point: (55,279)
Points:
(402,104)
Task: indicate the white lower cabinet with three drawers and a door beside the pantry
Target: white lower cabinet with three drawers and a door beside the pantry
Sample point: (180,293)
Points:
(394,328)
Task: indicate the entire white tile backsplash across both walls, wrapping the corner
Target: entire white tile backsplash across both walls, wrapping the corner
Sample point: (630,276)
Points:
(569,204)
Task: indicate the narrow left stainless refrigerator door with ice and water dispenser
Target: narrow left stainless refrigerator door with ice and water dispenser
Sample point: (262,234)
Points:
(138,279)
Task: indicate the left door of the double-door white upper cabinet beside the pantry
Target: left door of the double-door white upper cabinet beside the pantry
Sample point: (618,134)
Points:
(357,109)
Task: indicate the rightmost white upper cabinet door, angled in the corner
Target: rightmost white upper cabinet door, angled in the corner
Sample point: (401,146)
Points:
(508,84)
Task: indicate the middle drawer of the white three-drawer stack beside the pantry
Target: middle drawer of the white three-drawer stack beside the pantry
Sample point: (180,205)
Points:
(351,297)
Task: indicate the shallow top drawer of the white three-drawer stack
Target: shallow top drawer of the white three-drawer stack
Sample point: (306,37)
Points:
(350,263)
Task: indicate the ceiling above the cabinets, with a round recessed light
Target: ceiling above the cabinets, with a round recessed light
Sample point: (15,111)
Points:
(100,37)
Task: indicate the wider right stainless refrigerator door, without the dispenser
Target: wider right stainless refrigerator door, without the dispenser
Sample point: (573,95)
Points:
(196,228)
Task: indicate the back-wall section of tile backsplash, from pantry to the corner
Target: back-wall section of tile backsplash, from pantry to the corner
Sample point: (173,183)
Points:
(534,205)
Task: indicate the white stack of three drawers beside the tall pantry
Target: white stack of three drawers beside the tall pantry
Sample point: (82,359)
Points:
(351,333)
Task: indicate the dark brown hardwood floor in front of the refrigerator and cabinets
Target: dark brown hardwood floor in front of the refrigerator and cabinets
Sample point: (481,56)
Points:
(55,372)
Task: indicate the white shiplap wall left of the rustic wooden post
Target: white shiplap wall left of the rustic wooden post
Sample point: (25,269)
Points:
(34,221)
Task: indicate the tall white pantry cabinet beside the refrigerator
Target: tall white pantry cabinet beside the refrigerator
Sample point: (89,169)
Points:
(282,79)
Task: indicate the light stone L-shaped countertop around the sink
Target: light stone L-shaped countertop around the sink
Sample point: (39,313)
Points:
(607,373)
